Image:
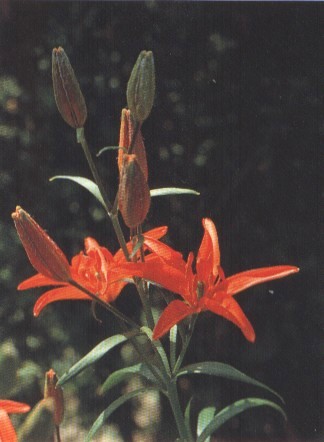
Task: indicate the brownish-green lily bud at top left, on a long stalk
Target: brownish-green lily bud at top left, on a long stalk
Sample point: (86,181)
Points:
(67,92)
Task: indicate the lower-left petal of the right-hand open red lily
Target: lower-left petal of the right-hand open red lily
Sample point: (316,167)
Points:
(172,314)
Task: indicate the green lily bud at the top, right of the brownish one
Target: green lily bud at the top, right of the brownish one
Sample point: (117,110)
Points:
(141,86)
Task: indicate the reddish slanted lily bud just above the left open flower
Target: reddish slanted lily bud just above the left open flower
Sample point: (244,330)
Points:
(44,255)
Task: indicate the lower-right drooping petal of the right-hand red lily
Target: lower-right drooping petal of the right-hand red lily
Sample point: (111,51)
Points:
(230,310)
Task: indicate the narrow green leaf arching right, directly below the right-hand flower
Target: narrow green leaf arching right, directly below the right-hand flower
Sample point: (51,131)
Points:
(224,371)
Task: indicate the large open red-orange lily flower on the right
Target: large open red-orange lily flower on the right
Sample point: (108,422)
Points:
(207,288)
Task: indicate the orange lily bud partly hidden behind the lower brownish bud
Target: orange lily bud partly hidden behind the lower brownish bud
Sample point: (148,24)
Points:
(125,139)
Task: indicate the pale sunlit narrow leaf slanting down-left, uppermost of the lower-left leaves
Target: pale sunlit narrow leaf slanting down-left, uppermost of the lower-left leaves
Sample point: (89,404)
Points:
(96,353)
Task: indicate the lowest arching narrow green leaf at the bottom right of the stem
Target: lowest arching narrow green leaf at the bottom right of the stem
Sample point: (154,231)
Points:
(234,409)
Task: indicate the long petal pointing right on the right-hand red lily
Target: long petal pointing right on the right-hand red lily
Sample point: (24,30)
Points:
(241,281)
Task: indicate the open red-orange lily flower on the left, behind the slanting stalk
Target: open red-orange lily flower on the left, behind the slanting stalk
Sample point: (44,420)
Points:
(96,269)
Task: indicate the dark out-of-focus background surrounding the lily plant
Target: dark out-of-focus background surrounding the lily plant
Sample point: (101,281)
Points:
(236,116)
